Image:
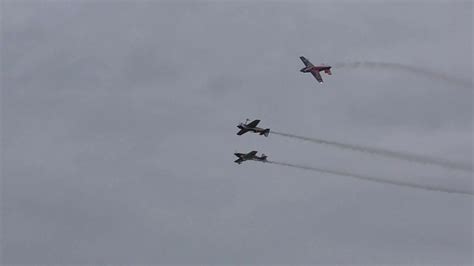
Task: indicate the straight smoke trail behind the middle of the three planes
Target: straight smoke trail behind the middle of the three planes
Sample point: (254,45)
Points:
(386,153)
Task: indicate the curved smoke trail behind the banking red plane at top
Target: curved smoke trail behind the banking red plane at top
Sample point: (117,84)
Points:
(409,69)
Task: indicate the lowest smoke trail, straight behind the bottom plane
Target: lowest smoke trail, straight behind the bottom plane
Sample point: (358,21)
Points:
(375,179)
